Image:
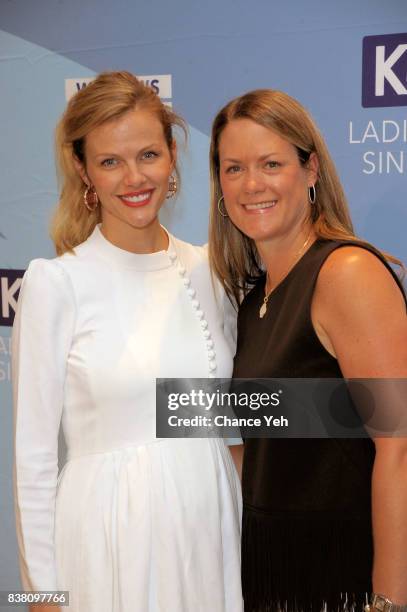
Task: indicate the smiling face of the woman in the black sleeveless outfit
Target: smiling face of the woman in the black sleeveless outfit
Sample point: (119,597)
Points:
(264,185)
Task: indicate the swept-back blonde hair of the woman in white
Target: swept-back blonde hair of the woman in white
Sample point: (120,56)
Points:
(108,97)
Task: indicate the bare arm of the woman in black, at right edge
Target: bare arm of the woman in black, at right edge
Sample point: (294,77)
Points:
(360,316)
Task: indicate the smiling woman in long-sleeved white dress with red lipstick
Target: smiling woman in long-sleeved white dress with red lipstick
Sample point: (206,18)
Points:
(132,523)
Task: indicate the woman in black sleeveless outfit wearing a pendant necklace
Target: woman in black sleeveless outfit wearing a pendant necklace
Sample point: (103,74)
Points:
(325,520)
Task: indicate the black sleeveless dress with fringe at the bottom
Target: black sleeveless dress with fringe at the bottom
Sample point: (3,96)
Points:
(307,529)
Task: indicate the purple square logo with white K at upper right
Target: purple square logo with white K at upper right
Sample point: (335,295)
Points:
(384,71)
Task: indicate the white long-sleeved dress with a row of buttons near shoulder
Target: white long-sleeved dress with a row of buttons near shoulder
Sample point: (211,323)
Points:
(132,523)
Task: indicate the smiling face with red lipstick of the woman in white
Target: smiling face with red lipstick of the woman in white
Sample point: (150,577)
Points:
(129,163)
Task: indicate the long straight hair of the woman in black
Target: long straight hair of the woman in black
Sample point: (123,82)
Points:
(234,257)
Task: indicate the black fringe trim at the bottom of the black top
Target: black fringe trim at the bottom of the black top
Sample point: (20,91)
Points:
(300,564)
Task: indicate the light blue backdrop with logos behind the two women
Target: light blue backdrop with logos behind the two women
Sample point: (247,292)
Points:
(346,62)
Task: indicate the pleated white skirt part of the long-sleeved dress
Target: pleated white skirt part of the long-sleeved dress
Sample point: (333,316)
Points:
(152,528)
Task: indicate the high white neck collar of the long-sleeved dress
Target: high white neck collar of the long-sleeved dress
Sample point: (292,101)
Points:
(127,259)
